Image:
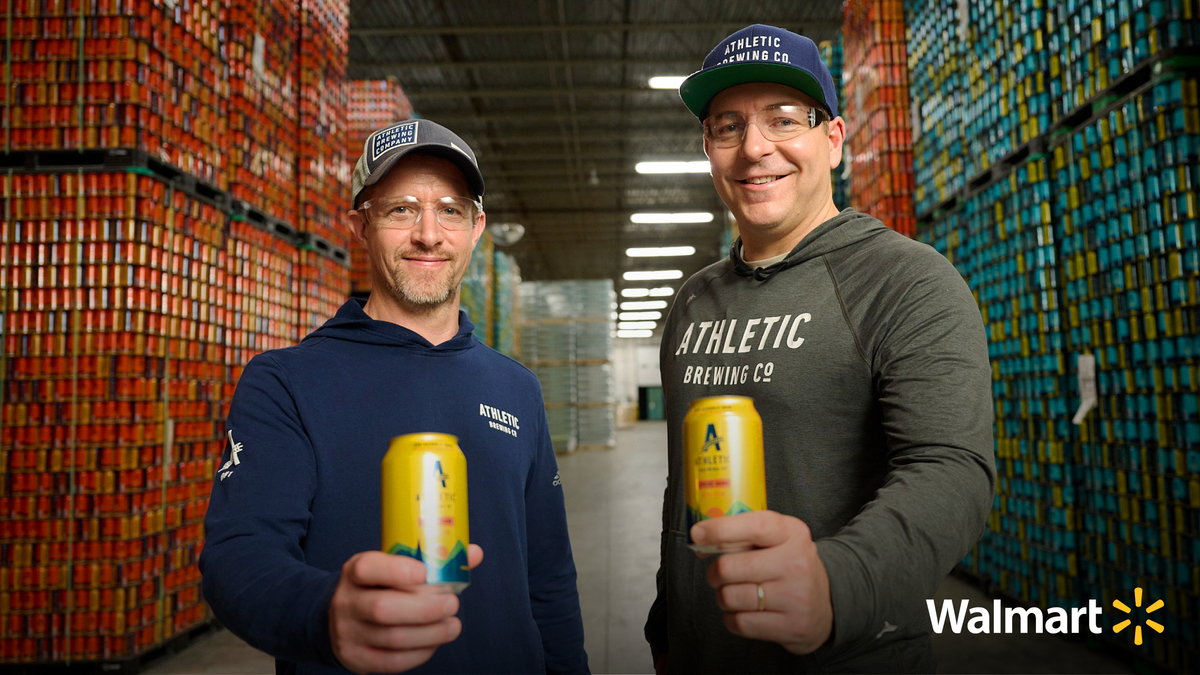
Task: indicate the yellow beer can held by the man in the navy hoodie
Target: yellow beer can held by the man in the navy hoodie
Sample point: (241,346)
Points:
(425,507)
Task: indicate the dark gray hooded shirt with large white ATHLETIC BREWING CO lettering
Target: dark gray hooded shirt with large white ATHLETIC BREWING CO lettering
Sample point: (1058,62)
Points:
(866,356)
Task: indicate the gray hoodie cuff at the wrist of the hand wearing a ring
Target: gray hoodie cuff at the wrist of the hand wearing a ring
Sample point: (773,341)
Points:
(851,593)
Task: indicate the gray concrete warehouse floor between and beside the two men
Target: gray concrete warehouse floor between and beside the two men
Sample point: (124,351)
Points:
(619,497)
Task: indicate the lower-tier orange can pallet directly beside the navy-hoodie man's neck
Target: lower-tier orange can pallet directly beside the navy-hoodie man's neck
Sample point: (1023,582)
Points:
(323,279)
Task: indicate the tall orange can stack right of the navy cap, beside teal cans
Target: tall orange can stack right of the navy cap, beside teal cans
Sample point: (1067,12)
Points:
(878,112)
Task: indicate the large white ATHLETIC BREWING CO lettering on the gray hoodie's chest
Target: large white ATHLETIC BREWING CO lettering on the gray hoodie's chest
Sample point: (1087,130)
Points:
(715,339)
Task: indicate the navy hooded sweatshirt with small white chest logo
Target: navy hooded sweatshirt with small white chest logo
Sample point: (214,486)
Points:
(299,494)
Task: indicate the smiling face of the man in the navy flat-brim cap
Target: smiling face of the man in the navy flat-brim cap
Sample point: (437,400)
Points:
(777,190)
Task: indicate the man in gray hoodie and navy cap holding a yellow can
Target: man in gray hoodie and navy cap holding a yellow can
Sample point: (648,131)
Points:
(866,356)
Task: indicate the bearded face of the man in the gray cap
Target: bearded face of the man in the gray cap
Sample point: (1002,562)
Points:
(421,268)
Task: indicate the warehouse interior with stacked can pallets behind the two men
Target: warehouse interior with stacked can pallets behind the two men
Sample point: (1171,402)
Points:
(176,177)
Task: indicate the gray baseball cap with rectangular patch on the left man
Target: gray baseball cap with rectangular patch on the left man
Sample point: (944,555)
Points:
(387,146)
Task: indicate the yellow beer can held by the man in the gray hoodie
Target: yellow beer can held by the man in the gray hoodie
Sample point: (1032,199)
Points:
(724,473)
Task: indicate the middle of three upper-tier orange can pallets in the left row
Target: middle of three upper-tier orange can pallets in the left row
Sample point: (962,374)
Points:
(263,106)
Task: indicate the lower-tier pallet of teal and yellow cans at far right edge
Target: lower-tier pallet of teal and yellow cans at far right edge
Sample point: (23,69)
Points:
(1127,205)
